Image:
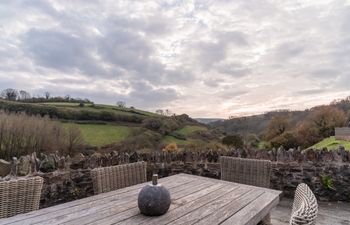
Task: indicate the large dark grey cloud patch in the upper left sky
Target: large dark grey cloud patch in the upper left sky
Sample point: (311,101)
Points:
(60,51)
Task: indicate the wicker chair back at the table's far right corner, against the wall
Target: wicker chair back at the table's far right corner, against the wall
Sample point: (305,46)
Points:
(246,171)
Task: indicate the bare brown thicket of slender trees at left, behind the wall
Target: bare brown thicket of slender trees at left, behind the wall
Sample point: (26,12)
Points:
(21,134)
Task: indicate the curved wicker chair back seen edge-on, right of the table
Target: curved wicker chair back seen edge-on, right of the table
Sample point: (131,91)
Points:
(305,207)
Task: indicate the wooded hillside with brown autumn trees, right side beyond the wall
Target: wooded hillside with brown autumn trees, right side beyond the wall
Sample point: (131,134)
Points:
(290,129)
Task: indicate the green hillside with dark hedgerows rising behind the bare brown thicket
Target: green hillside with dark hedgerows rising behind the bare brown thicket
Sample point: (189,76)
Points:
(128,128)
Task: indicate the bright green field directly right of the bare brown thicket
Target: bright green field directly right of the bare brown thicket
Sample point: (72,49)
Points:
(99,135)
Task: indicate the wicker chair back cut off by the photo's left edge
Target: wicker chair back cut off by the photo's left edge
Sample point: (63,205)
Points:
(20,196)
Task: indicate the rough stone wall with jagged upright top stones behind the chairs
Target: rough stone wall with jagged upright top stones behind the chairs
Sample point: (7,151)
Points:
(67,179)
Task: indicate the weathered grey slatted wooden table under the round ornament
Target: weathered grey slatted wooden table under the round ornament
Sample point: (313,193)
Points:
(195,199)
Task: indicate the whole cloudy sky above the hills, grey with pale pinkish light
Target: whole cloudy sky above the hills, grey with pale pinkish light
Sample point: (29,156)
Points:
(206,58)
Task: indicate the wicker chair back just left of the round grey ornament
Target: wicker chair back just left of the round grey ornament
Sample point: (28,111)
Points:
(107,179)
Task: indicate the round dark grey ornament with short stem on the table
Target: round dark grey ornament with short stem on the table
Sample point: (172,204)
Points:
(154,199)
